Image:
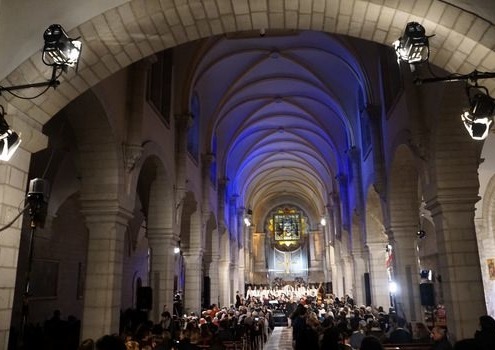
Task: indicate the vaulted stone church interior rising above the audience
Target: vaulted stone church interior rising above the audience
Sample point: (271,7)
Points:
(206,147)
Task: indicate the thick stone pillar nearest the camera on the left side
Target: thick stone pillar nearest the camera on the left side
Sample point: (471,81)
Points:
(102,293)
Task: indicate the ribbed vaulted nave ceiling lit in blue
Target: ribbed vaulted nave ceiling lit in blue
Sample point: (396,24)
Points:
(284,110)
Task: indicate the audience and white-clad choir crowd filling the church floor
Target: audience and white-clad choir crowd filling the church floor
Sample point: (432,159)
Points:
(315,323)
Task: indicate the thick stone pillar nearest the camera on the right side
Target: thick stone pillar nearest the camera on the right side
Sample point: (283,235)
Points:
(459,265)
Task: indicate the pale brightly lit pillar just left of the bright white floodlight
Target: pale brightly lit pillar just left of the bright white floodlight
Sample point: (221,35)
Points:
(378,275)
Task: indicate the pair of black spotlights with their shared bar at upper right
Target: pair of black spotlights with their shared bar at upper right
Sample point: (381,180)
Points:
(413,48)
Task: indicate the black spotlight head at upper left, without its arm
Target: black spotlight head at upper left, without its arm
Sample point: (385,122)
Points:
(59,49)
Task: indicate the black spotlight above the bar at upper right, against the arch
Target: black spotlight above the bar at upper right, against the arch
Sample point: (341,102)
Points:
(413,47)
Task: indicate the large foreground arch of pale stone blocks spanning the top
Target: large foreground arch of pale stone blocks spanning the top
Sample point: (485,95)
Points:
(119,36)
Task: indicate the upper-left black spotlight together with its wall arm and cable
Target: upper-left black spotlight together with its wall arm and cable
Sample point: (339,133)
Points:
(59,52)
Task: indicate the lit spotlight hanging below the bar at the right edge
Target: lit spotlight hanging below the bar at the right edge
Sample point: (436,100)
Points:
(479,118)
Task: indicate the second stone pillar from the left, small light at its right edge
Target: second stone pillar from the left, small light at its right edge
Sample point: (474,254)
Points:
(162,270)
